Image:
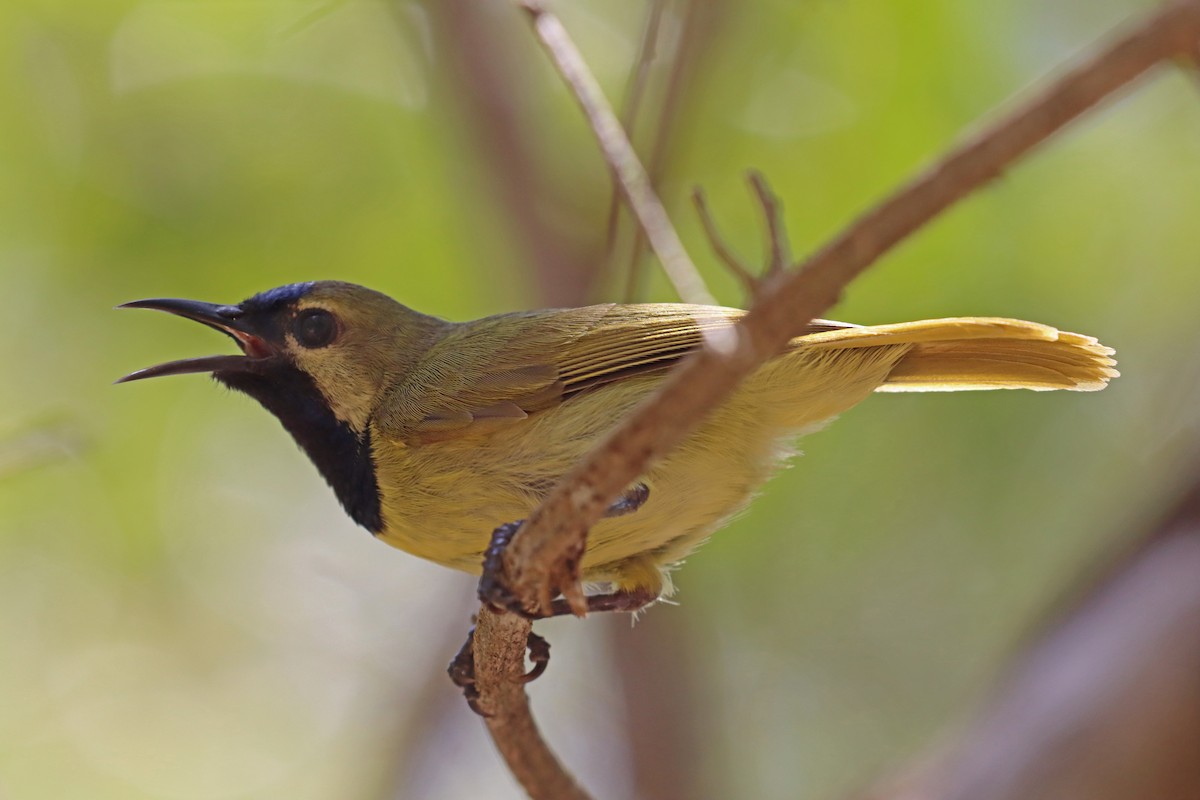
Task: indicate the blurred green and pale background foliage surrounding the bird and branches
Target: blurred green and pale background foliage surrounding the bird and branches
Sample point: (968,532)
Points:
(185,613)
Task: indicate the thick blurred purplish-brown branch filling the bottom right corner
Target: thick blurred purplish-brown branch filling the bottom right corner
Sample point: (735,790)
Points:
(1107,707)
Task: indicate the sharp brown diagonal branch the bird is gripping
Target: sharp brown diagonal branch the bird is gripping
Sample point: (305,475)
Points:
(544,558)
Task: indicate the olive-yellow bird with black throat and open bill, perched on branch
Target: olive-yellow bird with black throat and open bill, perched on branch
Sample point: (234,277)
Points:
(433,434)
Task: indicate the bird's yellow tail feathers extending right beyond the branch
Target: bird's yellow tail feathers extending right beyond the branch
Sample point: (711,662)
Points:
(981,353)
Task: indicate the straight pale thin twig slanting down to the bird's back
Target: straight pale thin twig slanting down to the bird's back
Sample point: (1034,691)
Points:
(620,154)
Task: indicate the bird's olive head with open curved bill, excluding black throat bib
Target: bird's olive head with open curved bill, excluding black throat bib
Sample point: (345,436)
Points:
(333,344)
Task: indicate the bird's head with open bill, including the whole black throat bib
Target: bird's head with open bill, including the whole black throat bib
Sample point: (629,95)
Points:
(320,357)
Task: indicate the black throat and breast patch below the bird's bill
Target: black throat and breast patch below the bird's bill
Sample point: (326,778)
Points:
(341,455)
